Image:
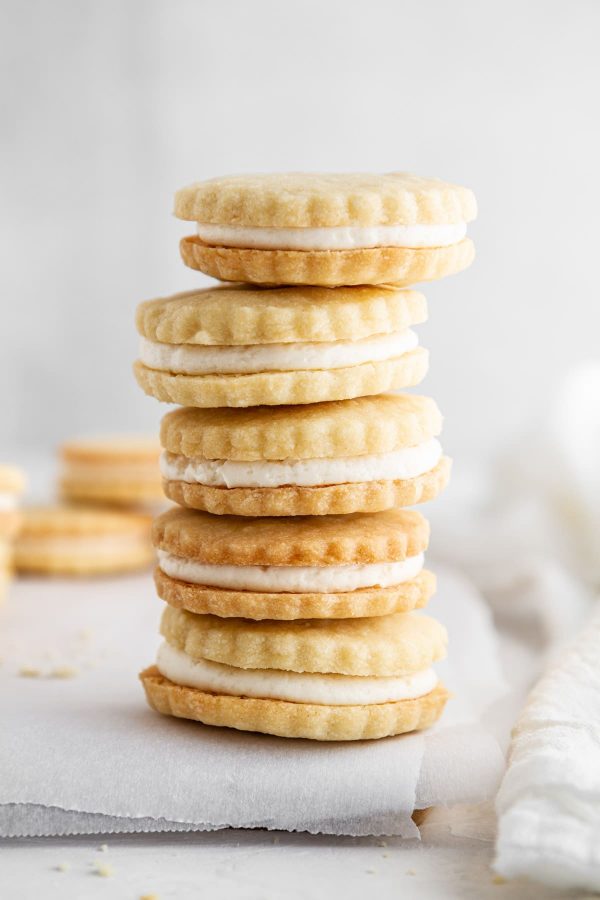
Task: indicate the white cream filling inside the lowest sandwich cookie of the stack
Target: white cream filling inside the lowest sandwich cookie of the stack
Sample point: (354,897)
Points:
(298,687)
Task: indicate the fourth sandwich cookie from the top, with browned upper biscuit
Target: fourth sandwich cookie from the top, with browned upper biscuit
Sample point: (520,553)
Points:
(304,567)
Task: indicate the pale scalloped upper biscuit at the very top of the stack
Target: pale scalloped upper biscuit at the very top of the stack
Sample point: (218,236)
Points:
(306,200)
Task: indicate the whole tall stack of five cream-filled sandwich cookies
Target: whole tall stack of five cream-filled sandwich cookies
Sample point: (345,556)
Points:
(291,568)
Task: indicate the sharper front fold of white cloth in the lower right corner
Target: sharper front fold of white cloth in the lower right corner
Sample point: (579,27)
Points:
(549,802)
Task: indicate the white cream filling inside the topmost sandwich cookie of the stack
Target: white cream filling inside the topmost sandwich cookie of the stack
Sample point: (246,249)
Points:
(343,238)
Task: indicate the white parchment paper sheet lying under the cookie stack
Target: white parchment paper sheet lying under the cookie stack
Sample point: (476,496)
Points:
(84,754)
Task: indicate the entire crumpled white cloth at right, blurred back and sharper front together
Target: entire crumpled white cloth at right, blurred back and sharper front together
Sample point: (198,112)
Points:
(529,537)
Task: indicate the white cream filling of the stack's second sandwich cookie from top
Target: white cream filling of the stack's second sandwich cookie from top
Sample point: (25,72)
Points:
(198,359)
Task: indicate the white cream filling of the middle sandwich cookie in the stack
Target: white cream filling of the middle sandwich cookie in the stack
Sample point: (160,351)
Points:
(409,462)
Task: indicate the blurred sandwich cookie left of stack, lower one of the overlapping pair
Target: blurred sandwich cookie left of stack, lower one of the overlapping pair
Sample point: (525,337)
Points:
(78,540)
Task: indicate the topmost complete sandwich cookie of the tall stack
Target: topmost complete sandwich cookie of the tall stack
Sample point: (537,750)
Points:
(327,229)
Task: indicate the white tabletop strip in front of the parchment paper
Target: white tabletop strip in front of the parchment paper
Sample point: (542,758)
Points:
(253,865)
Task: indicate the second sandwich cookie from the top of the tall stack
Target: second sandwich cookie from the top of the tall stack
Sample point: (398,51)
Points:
(250,347)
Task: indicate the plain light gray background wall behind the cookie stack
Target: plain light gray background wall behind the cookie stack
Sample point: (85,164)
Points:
(108,107)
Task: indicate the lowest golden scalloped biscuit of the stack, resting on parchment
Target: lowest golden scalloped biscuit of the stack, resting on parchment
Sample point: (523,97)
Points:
(295,720)
